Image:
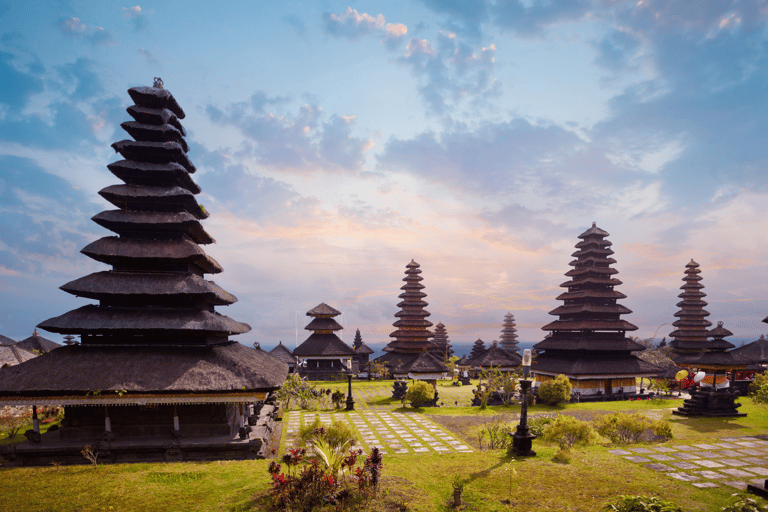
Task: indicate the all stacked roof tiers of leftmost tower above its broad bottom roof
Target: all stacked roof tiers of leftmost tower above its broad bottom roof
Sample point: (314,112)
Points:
(157,263)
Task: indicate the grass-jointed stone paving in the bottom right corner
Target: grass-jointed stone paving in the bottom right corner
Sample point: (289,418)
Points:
(733,461)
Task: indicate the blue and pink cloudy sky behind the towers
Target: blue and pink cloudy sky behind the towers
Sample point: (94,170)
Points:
(336,141)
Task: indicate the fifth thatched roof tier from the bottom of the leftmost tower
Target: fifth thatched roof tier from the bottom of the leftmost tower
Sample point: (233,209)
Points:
(142,224)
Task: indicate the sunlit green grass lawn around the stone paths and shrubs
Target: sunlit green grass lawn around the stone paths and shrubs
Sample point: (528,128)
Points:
(414,482)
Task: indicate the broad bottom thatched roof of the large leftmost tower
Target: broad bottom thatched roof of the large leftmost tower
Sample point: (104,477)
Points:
(77,369)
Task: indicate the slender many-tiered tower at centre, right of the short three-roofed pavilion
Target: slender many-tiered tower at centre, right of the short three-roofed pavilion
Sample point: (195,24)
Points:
(410,355)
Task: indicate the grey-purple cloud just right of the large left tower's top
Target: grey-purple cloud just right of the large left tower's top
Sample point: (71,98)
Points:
(301,142)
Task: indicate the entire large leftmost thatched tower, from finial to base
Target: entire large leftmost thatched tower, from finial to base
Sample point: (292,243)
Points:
(154,360)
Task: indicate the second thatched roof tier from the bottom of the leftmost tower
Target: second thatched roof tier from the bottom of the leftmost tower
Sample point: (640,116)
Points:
(94,319)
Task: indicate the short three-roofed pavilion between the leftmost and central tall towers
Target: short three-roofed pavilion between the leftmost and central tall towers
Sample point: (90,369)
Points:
(324,356)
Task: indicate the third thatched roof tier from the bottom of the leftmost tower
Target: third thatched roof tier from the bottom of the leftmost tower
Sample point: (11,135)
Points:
(149,288)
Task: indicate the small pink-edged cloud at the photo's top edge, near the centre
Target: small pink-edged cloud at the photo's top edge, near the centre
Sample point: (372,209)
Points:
(355,26)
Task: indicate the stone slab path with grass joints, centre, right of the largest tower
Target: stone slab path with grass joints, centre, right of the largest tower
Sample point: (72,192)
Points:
(391,432)
